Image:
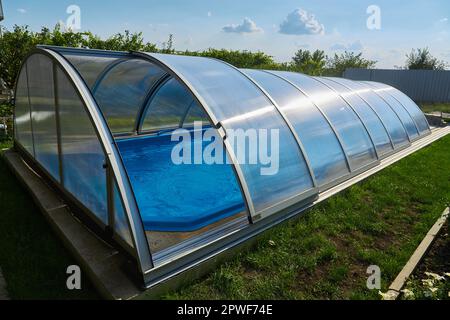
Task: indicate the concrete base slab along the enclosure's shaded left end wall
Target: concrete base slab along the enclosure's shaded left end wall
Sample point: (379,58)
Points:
(103,264)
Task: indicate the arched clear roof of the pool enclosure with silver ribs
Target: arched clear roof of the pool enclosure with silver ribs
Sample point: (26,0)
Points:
(330,129)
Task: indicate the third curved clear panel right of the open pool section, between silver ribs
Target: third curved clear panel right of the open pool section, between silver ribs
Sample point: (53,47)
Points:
(354,137)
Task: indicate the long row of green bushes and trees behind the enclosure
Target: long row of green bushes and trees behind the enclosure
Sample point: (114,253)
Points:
(15,44)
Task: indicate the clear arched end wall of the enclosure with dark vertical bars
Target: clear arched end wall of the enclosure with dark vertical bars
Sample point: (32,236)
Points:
(54,128)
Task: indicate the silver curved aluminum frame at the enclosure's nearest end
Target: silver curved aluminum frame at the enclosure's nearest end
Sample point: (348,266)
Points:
(113,158)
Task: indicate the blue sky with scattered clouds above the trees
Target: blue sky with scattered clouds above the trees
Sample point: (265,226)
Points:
(278,28)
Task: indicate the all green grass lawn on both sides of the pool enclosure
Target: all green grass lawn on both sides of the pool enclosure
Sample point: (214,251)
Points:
(324,253)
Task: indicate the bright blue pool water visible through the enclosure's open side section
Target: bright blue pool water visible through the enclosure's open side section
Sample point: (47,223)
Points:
(180,198)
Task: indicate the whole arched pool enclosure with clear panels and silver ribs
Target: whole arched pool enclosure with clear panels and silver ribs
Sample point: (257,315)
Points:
(102,128)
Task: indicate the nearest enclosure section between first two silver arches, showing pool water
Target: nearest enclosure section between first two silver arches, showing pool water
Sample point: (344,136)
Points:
(144,105)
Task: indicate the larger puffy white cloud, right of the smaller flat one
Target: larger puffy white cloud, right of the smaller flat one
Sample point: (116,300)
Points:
(300,22)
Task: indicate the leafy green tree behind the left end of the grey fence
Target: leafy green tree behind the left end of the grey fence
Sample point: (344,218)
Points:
(337,64)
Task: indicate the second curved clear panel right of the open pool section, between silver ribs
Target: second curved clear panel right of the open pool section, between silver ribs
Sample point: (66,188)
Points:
(319,141)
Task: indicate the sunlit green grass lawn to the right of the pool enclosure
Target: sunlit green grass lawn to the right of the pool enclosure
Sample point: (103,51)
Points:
(324,254)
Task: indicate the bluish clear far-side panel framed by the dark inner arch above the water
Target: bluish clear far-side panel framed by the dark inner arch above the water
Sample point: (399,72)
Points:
(167,107)
